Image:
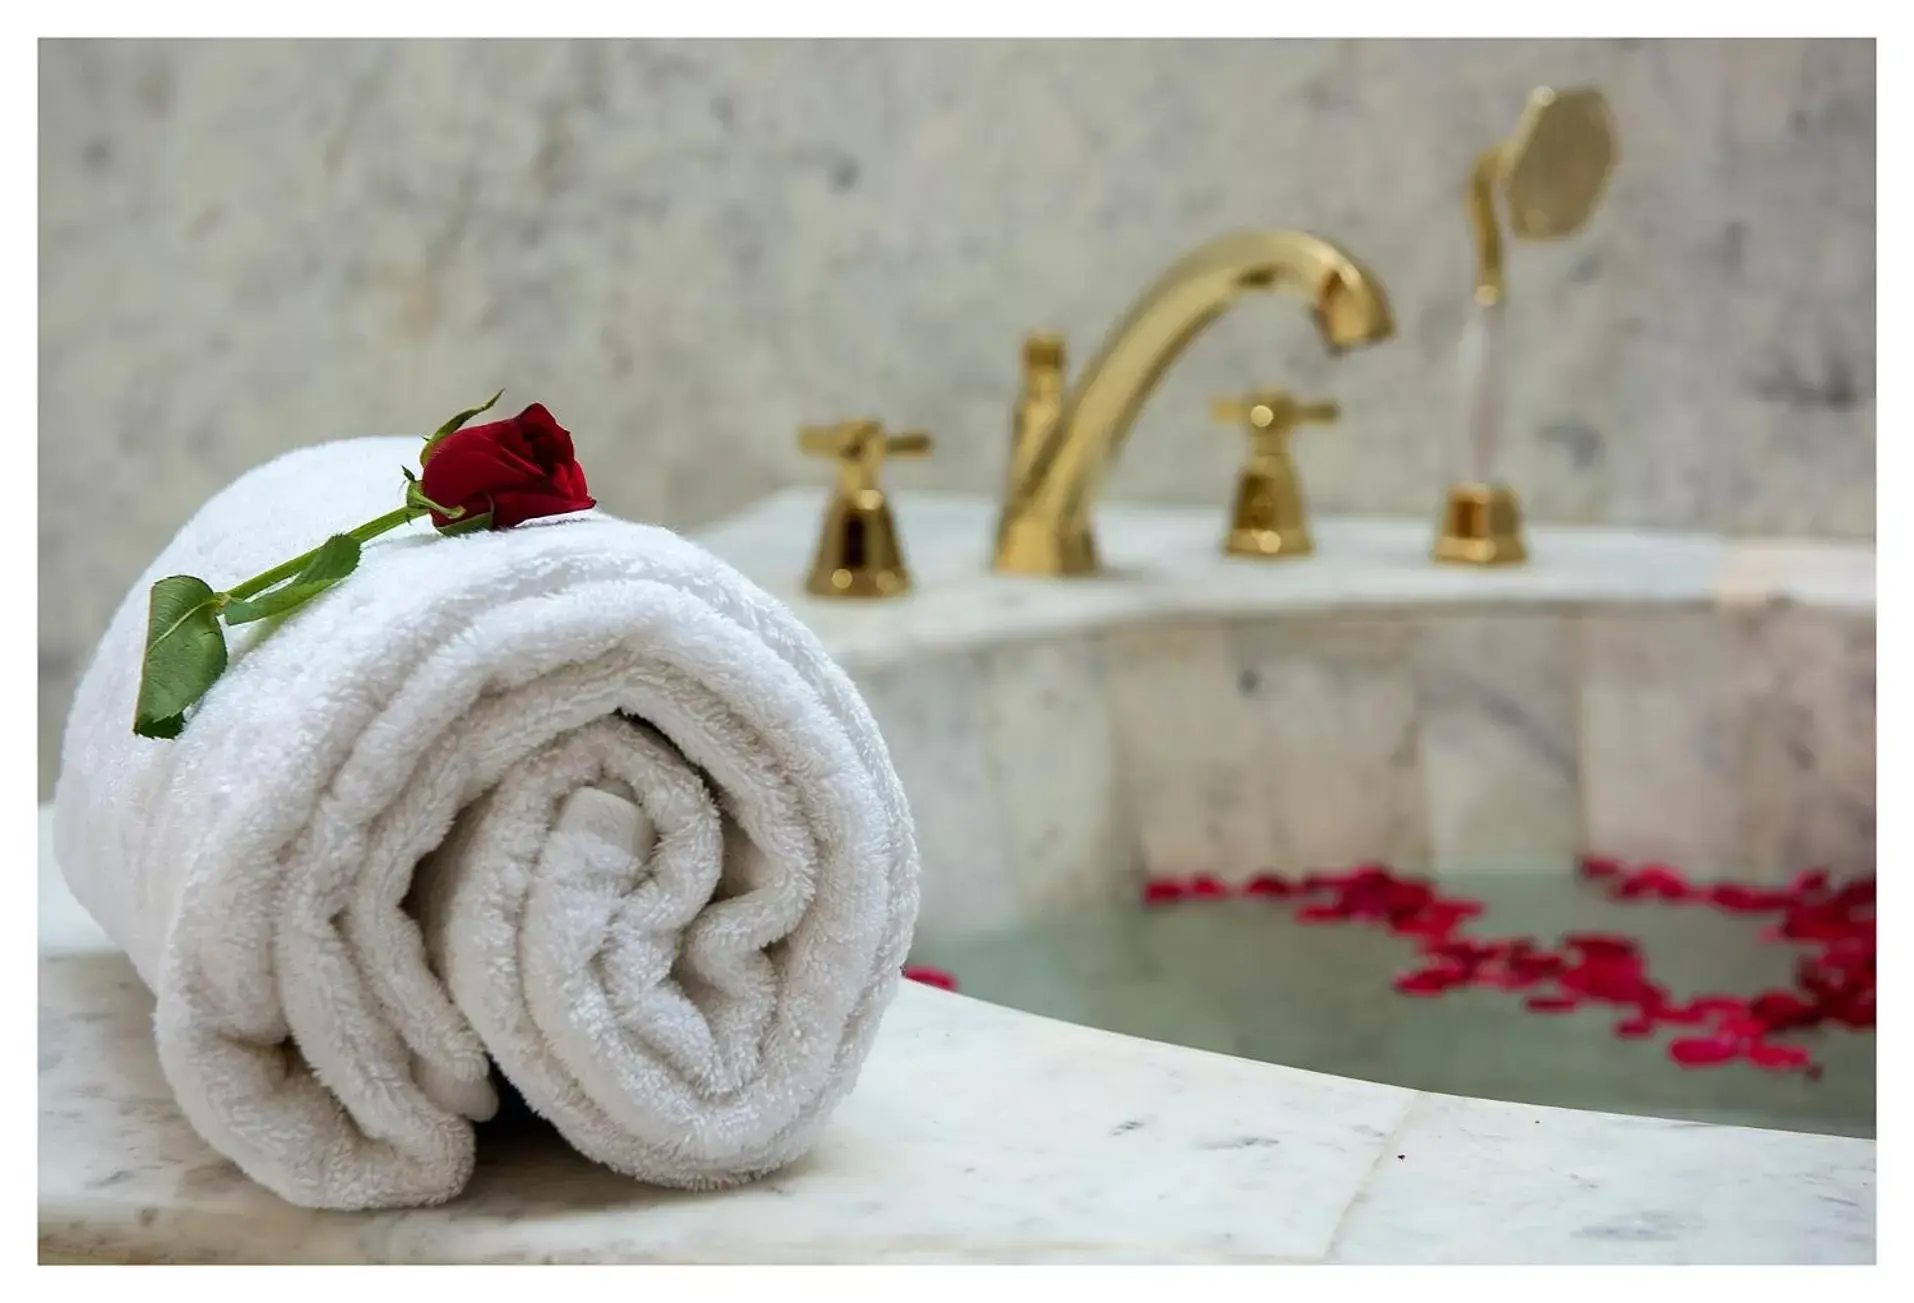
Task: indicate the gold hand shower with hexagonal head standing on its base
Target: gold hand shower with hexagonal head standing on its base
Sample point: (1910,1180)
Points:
(1551,173)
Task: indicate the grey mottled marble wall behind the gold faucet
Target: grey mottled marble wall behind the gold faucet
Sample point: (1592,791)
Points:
(688,250)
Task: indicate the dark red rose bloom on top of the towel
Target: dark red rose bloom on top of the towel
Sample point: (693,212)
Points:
(518,470)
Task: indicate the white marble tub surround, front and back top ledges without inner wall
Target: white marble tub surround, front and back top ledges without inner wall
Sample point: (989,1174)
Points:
(981,1134)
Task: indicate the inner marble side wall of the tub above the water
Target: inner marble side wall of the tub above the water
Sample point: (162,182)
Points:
(1054,774)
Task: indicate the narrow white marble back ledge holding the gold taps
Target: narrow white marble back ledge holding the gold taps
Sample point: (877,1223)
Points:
(1167,562)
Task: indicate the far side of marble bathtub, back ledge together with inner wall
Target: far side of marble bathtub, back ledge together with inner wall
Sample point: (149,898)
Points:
(1641,696)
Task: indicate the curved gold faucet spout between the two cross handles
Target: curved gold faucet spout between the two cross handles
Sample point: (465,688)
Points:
(1065,443)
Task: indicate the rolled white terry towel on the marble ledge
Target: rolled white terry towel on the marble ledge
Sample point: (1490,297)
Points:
(575,799)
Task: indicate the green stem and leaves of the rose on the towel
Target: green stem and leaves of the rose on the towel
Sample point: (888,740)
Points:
(185,646)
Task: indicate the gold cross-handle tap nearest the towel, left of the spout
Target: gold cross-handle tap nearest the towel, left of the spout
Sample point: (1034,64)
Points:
(858,552)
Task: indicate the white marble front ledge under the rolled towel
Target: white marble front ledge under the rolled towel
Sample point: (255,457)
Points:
(975,1134)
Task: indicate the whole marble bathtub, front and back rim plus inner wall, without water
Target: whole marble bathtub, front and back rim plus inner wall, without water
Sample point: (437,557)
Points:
(1647,694)
